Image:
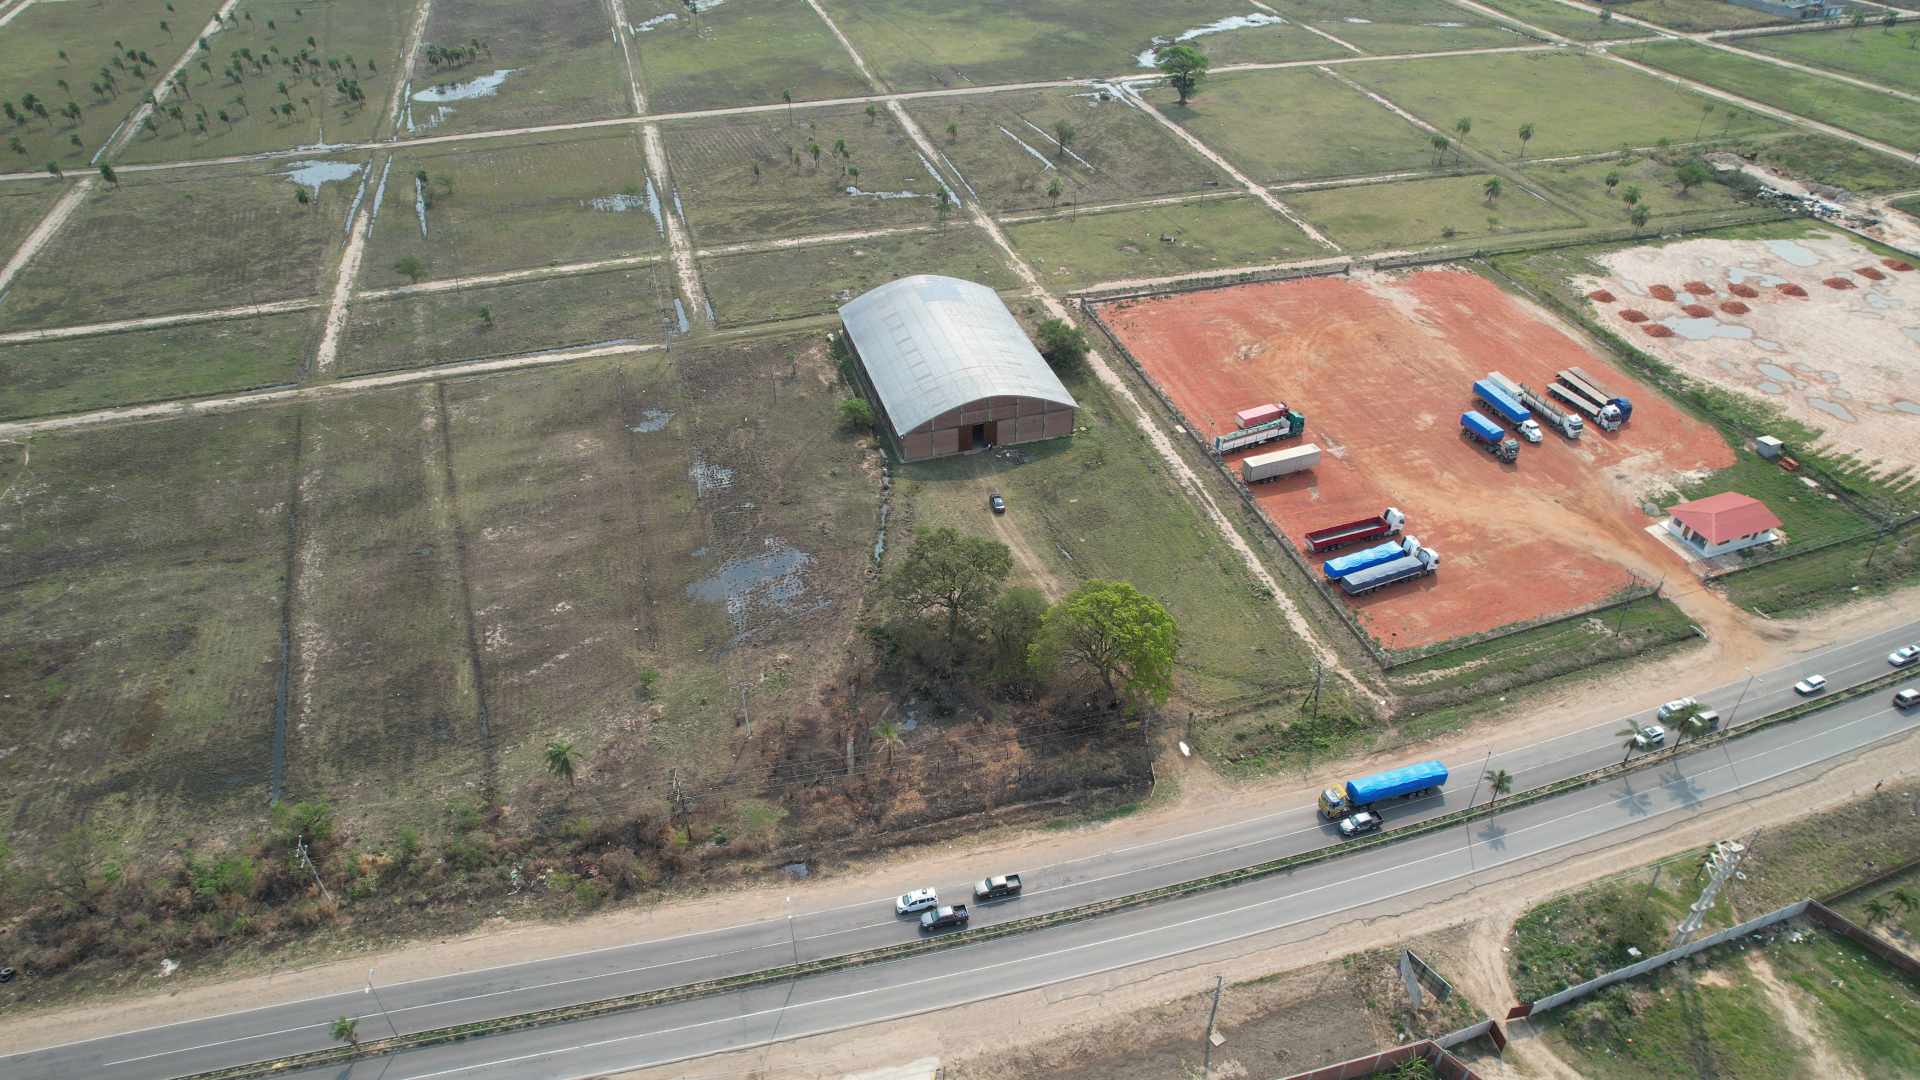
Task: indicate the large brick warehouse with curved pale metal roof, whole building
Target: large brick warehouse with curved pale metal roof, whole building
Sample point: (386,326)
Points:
(949,370)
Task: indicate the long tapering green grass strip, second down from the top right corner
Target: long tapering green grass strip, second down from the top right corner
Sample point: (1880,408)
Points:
(1863,112)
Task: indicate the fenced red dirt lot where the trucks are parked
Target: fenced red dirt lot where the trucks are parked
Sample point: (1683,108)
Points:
(1383,370)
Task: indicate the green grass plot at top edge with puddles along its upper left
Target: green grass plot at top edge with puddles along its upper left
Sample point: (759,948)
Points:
(736,55)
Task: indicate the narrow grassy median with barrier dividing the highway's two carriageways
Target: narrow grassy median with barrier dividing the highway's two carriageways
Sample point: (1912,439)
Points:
(694,991)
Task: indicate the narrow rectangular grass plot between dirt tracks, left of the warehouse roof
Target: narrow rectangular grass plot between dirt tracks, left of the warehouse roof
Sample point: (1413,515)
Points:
(443,328)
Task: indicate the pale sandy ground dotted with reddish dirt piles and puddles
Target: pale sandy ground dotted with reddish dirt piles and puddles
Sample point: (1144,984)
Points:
(1840,360)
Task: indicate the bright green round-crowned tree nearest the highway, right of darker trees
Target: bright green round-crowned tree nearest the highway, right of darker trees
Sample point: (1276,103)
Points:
(1118,633)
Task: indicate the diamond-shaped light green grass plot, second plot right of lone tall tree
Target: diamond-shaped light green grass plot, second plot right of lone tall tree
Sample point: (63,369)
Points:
(1579,105)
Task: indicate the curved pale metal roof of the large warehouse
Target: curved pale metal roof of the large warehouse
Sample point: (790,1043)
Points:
(936,343)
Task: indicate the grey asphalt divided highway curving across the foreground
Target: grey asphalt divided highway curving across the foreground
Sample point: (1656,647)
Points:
(1030,960)
